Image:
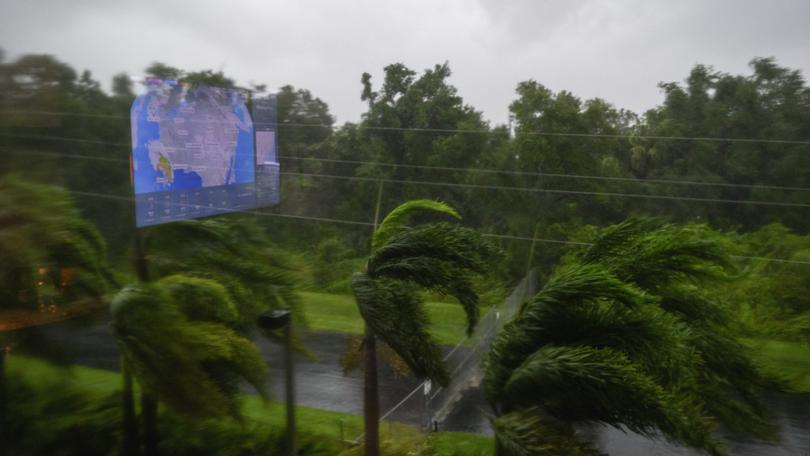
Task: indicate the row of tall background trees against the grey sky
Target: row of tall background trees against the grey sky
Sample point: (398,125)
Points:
(555,141)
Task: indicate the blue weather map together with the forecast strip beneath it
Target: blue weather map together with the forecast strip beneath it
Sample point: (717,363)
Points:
(192,152)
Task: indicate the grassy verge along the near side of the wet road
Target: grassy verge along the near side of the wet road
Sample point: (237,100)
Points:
(398,438)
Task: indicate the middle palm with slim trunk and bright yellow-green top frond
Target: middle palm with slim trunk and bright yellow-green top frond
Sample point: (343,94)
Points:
(441,257)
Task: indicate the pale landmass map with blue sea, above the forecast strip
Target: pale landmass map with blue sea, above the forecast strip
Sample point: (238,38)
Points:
(190,137)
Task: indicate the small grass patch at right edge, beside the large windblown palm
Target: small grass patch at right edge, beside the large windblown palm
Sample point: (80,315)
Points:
(787,360)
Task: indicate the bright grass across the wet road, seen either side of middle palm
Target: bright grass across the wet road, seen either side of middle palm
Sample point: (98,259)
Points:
(338,313)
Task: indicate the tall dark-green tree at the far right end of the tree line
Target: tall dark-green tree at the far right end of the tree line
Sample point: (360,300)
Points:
(772,103)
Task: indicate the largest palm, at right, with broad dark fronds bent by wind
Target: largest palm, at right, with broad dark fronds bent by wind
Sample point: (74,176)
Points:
(625,337)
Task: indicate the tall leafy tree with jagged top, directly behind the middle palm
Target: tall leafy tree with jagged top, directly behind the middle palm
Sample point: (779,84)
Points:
(421,120)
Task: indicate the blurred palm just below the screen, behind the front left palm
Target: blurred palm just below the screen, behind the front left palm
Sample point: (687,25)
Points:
(233,252)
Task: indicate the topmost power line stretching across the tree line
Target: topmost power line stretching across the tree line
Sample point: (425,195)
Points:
(471,130)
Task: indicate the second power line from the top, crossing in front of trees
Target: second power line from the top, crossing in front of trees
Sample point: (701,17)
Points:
(448,168)
